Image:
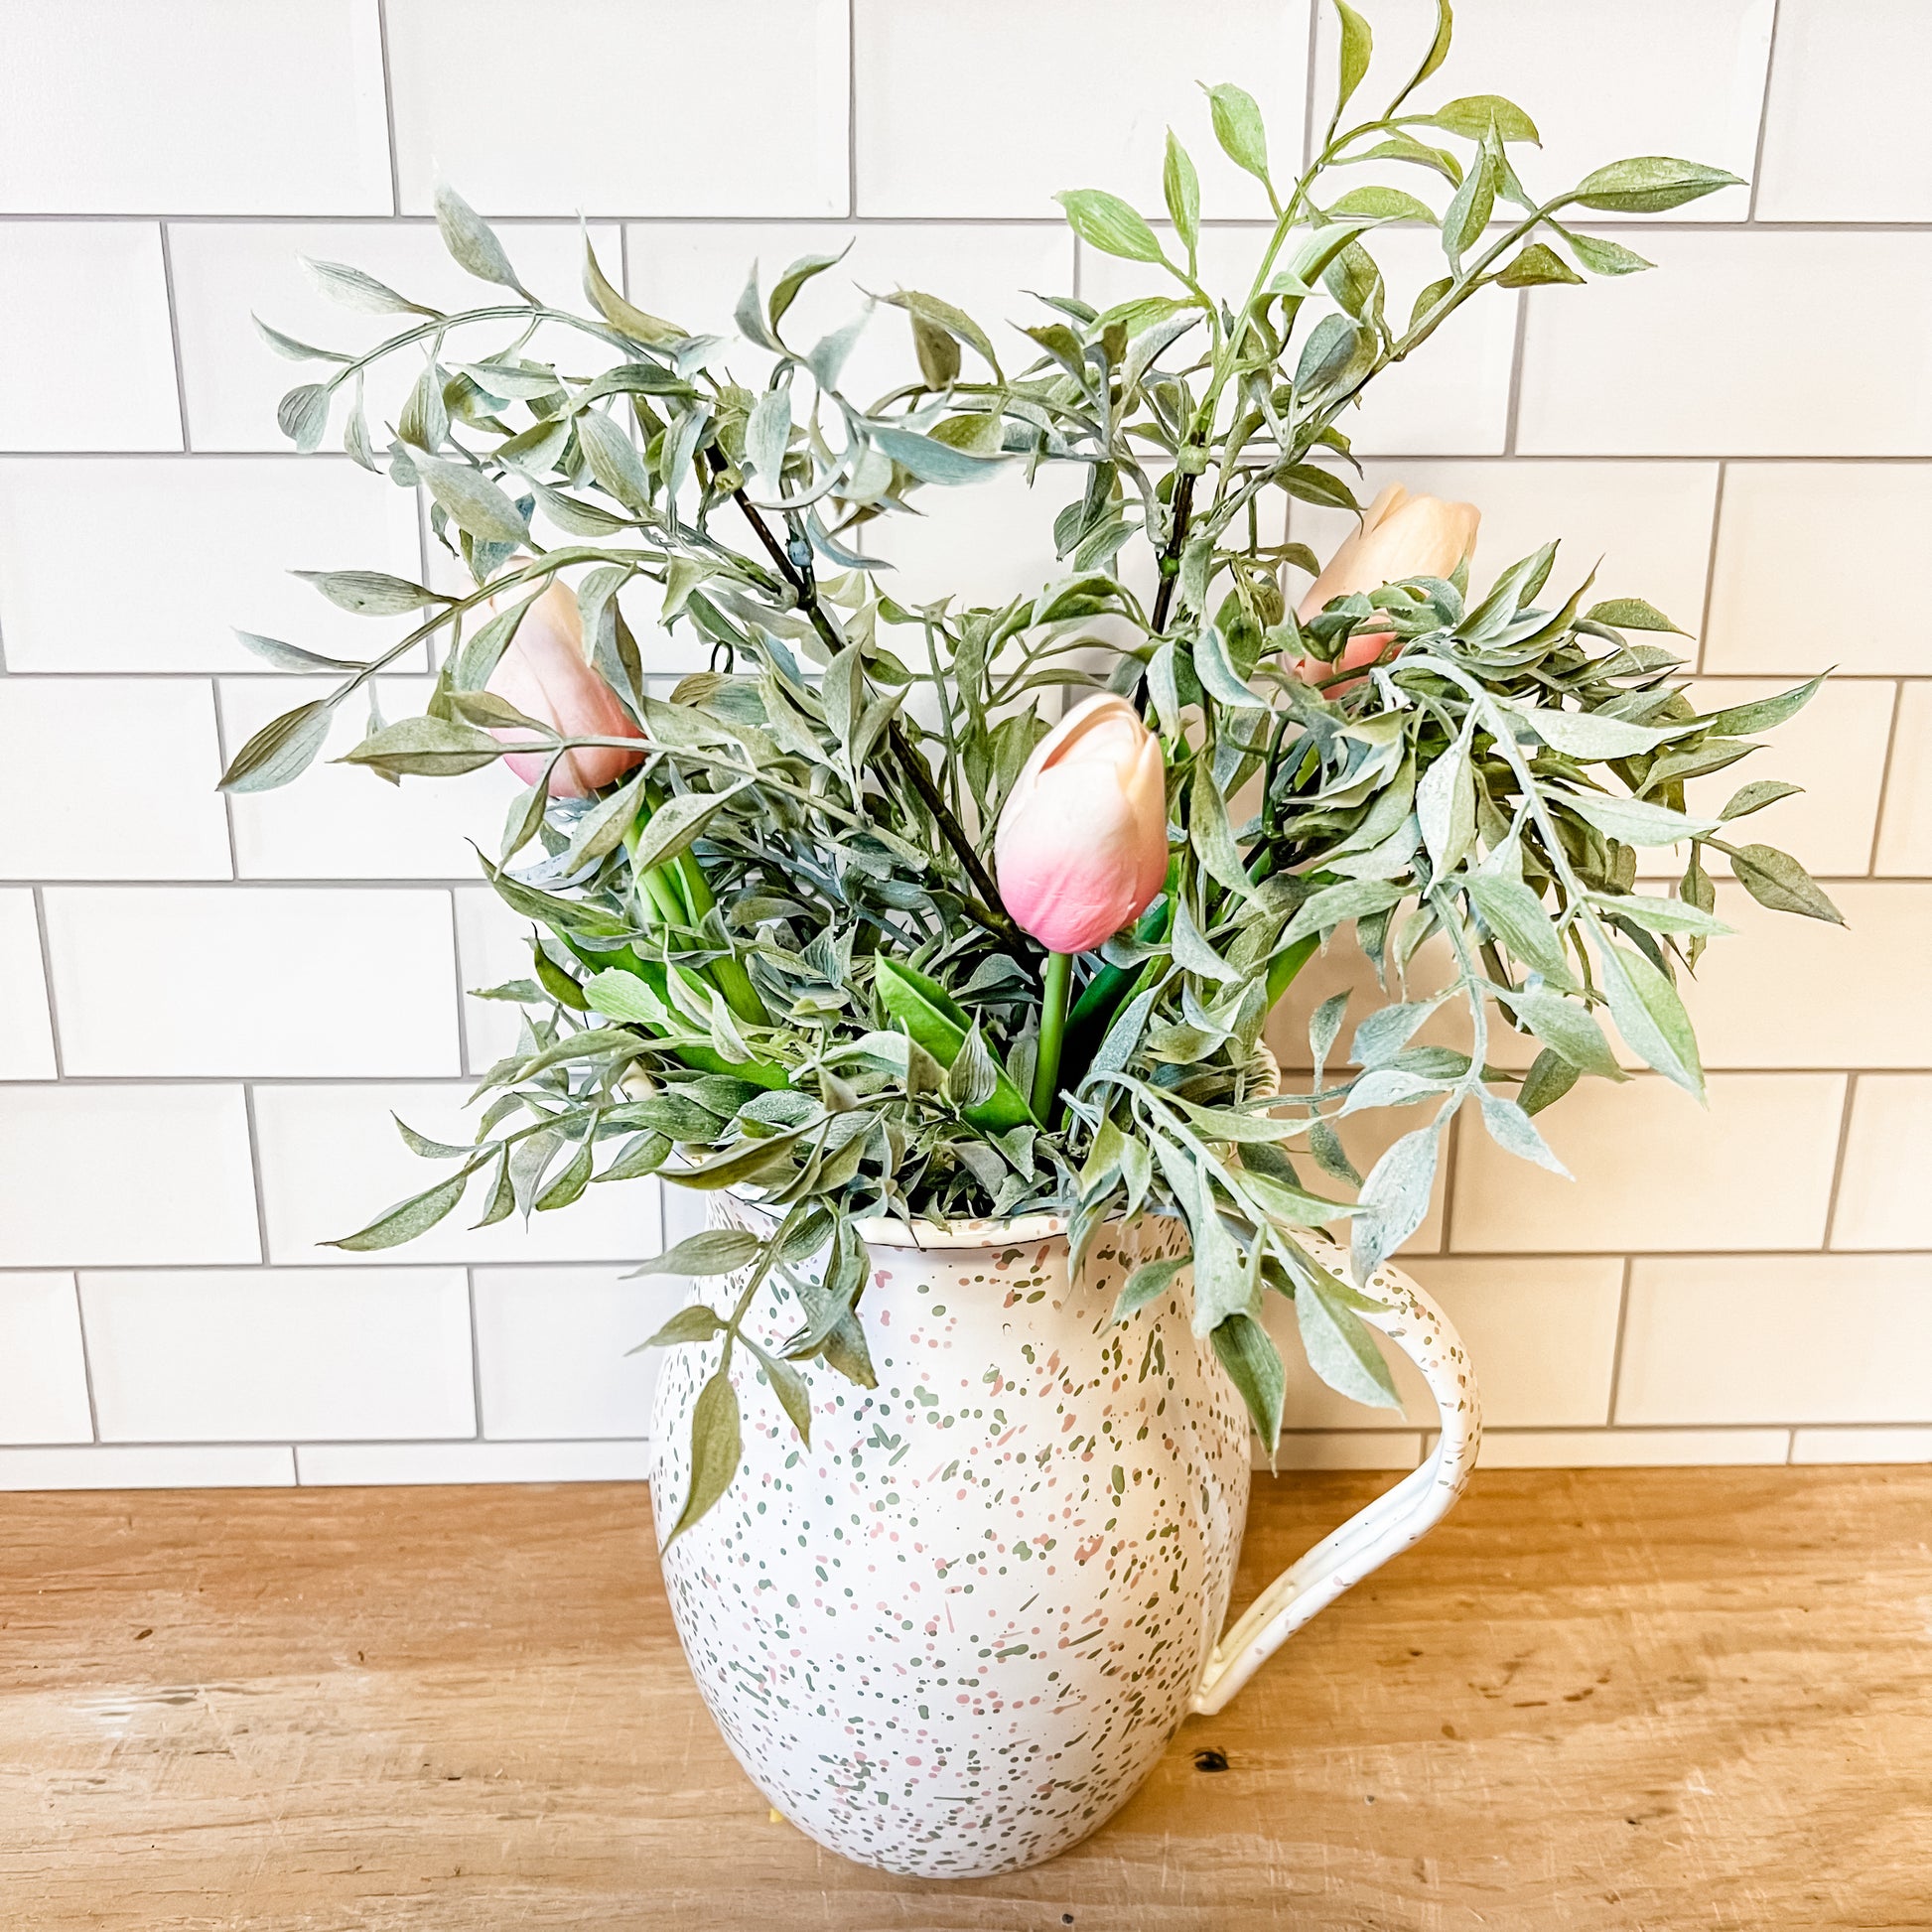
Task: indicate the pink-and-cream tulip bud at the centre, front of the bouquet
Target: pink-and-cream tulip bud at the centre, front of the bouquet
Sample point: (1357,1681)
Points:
(1083,843)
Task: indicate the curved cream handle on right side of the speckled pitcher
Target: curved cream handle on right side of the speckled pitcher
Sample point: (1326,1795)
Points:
(1386,1527)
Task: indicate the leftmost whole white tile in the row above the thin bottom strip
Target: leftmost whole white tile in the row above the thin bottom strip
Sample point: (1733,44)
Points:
(242,1355)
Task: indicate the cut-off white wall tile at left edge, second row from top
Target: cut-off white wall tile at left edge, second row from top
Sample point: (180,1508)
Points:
(86,308)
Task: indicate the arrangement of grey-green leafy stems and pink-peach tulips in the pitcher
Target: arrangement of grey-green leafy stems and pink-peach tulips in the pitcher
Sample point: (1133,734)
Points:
(853,924)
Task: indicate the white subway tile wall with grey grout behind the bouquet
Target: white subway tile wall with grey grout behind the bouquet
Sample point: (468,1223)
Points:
(196,1060)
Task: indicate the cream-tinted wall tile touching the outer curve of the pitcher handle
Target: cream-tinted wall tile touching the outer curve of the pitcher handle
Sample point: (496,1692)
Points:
(1543,1336)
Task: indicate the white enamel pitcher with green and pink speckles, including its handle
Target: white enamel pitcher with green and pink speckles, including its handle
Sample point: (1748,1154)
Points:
(955,1634)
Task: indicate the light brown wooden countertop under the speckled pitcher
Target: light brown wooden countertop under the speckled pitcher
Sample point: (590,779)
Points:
(1605,1699)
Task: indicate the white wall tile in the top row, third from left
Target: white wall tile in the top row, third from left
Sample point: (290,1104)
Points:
(944,132)
